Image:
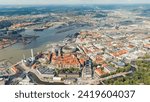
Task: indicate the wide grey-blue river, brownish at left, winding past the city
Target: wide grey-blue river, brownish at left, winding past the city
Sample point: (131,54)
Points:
(15,52)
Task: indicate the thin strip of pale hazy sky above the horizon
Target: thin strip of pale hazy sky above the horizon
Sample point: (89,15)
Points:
(71,1)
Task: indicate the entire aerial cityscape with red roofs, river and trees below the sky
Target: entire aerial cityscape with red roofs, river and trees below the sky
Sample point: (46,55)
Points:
(74,44)
